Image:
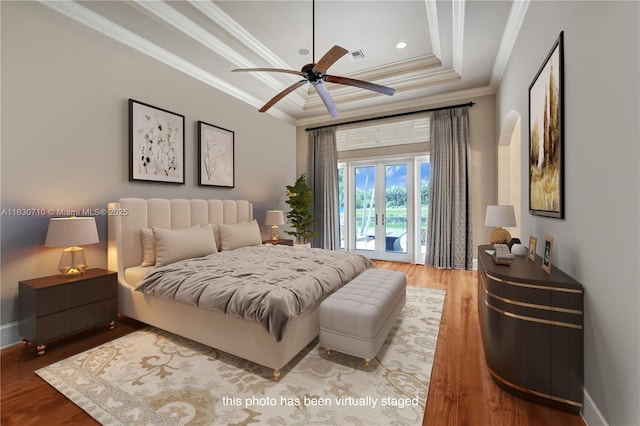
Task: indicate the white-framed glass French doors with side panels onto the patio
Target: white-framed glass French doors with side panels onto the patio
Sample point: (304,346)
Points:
(383,207)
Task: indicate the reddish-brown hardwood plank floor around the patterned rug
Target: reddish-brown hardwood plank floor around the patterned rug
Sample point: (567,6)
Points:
(461,390)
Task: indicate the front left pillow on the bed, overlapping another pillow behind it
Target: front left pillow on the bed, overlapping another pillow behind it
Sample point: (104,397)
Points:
(183,243)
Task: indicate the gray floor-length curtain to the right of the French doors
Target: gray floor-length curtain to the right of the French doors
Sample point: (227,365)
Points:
(449,241)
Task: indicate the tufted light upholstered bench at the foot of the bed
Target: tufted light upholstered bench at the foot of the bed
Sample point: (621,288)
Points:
(357,318)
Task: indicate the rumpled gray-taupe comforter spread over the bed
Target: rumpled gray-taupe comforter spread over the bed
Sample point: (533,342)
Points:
(271,284)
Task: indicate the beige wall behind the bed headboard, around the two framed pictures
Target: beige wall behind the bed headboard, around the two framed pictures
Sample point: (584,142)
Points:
(65,135)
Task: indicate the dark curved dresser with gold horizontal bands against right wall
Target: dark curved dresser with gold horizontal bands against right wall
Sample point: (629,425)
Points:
(532,330)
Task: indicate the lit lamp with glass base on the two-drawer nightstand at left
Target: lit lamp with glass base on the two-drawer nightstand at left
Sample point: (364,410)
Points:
(72,232)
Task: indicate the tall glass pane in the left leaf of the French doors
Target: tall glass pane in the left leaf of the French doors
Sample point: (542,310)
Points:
(365,220)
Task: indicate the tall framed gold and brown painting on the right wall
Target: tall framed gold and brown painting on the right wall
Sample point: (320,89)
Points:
(546,139)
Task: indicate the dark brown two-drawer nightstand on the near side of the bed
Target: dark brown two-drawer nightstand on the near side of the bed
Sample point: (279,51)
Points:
(57,306)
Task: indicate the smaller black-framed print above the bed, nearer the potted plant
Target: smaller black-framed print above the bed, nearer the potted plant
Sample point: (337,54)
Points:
(216,154)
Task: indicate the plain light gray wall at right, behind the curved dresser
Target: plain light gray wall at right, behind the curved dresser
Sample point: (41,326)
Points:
(598,241)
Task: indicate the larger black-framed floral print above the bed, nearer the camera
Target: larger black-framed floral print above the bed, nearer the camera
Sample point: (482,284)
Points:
(156,144)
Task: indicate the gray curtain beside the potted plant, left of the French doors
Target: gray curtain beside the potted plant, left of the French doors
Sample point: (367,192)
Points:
(322,178)
